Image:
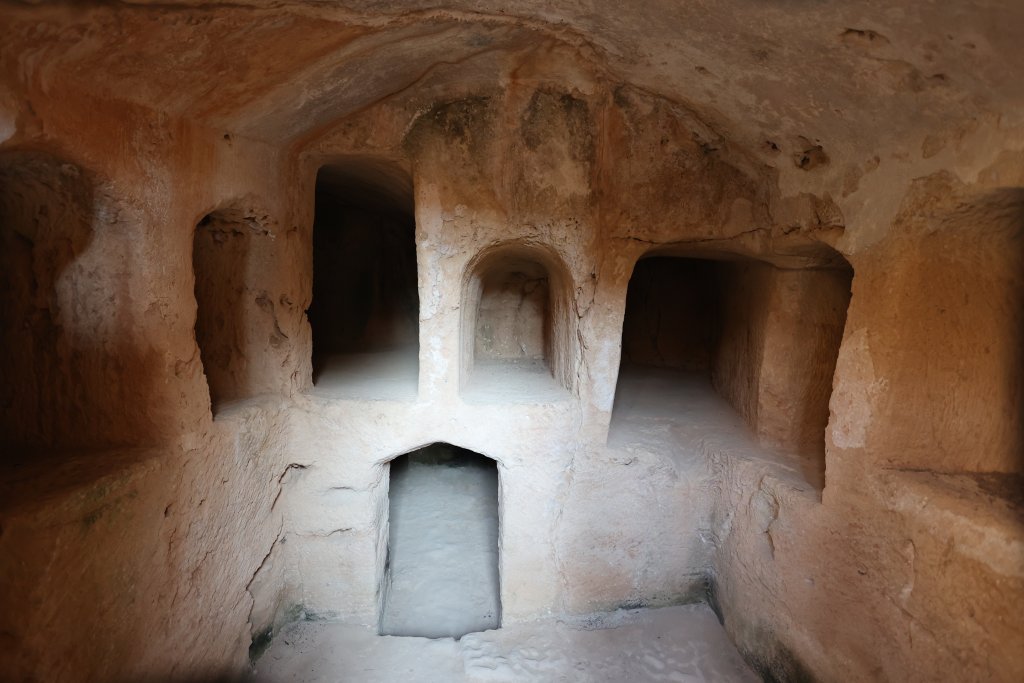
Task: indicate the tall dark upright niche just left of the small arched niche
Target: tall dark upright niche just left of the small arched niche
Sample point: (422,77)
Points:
(365,311)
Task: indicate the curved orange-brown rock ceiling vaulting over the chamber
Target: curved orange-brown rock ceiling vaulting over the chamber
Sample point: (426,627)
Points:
(835,86)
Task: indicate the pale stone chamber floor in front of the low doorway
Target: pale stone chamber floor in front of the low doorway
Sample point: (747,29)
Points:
(676,645)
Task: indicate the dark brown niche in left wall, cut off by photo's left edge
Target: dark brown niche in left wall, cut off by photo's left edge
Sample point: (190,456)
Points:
(54,391)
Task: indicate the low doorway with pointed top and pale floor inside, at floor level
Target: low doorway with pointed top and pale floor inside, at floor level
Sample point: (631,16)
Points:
(442,574)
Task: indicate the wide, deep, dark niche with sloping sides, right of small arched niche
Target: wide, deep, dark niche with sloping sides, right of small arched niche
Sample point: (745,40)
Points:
(763,338)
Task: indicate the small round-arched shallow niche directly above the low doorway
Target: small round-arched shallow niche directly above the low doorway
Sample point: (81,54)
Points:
(516,341)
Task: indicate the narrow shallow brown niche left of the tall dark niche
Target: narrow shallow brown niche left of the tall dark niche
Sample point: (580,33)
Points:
(224,249)
